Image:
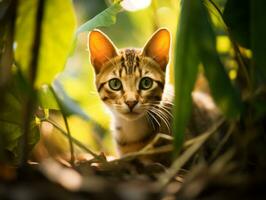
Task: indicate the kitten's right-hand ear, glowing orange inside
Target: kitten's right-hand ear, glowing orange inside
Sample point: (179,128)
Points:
(158,47)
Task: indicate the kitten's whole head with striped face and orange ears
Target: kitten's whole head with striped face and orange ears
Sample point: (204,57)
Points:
(130,81)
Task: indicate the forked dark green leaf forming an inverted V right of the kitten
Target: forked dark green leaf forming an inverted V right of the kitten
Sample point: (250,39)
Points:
(195,43)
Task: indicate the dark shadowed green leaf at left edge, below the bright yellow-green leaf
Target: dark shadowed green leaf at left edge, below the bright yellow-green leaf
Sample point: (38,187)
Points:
(12,121)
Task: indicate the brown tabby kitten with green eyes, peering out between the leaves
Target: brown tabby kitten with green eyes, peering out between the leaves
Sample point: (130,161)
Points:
(132,84)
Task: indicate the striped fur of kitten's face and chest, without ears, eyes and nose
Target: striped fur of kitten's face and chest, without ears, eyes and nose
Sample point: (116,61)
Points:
(135,129)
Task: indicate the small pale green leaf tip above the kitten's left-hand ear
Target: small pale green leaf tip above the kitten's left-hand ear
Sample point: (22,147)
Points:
(103,19)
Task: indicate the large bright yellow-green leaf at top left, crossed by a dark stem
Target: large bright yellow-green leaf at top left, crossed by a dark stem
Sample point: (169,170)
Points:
(57,34)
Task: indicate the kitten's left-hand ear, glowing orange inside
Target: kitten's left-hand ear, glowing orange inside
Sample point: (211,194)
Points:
(101,49)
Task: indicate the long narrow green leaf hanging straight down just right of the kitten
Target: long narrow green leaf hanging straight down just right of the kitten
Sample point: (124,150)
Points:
(186,67)
